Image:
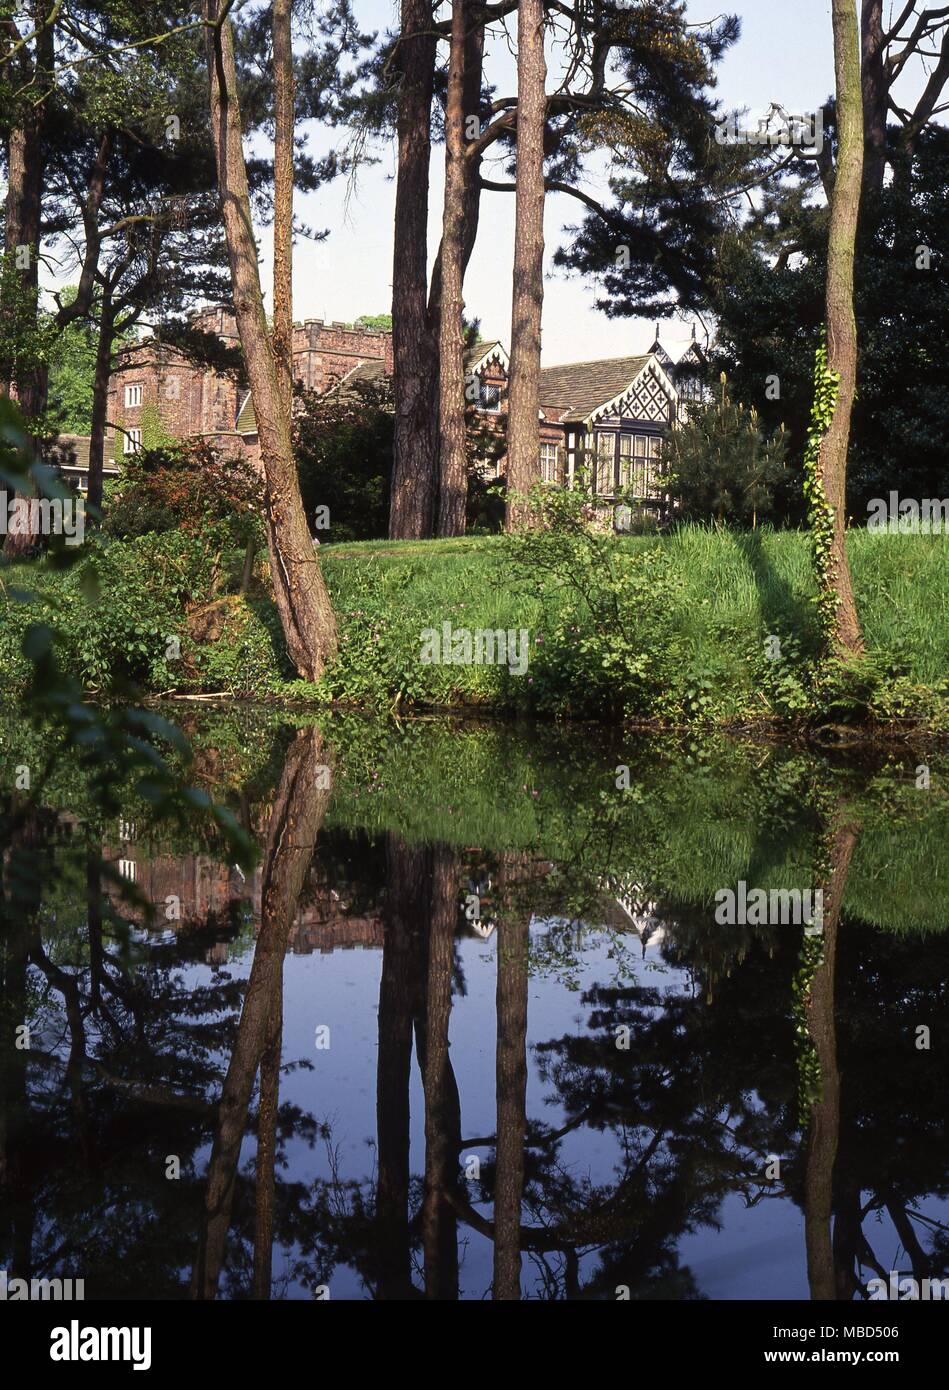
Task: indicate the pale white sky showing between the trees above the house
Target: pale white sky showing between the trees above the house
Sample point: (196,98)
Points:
(786,55)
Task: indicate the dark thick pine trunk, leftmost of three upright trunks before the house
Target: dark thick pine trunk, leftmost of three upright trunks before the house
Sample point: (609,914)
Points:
(412,511)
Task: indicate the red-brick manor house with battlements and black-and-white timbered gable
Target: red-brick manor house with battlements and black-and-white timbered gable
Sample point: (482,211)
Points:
(608,415)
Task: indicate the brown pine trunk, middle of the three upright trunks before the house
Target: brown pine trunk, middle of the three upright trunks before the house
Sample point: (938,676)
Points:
(454,480)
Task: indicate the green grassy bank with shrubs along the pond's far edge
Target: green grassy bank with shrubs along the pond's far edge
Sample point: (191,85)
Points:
(702,626)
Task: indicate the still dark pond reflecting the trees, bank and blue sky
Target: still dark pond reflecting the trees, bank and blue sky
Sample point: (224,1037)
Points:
(495,1015)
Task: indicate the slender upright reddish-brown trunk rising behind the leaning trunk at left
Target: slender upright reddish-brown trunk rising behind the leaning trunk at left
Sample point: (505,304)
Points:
(284,124)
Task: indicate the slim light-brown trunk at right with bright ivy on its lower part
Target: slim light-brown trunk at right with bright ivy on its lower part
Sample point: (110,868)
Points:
(841,319)
